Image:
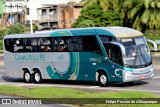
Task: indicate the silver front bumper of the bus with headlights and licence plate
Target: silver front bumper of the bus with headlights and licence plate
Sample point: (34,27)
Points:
(138,74)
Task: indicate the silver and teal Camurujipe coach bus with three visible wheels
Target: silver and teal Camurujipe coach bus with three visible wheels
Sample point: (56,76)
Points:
(103,54)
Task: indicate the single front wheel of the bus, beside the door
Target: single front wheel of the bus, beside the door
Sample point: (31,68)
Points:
(103,80)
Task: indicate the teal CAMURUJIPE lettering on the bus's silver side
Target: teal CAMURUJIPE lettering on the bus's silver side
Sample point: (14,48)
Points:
(30,57)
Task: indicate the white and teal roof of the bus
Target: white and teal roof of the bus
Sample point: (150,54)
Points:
(120,32)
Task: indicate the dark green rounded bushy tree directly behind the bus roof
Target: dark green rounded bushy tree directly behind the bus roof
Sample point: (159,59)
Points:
(94,16)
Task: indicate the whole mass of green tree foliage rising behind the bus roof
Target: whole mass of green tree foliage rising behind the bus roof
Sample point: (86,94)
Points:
(138,14)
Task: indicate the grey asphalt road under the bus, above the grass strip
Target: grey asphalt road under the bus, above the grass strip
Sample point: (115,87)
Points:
(152,85)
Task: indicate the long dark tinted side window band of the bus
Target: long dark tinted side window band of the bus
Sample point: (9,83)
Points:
(57,44)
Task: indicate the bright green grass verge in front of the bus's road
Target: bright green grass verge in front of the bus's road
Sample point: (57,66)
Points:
(49,92)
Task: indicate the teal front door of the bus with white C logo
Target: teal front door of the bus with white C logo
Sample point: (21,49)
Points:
(114,52)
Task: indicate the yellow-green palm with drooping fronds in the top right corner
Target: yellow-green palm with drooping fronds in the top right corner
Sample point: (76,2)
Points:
(141,14)
